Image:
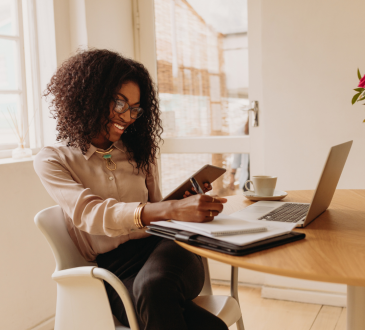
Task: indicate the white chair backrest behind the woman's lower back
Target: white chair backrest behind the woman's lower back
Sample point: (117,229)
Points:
(52,224)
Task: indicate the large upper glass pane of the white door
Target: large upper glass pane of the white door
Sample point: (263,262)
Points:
(202,72)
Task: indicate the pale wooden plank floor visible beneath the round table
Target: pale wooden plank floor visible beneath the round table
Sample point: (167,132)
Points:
(269,314)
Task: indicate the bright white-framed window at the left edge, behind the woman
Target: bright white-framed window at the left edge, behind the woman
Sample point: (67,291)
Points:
(18,75)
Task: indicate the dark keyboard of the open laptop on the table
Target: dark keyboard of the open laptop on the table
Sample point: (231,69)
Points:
(288,212)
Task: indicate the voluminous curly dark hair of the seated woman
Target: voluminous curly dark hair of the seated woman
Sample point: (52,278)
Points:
(82,89)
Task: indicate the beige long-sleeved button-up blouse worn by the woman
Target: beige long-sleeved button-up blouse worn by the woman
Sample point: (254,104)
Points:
(98,204)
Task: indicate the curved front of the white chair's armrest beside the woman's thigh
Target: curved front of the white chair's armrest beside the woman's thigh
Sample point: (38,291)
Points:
(122,291)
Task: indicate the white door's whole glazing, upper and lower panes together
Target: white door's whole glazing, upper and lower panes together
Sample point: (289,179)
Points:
(202,72)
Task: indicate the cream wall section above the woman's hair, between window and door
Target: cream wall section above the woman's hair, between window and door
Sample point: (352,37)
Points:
(92,23)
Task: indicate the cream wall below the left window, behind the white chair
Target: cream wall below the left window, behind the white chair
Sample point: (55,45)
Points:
(28,294)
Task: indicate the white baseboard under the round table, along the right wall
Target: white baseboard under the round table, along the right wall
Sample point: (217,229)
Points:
(311,297)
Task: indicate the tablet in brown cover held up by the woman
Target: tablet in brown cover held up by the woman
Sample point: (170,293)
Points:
(208,173)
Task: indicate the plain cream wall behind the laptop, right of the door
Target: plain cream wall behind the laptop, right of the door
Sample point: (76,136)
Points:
(303,72)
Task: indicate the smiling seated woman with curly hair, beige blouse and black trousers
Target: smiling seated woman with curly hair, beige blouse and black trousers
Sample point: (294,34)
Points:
(103,172)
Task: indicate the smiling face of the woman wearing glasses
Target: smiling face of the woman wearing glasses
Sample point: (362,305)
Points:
(130,93)
